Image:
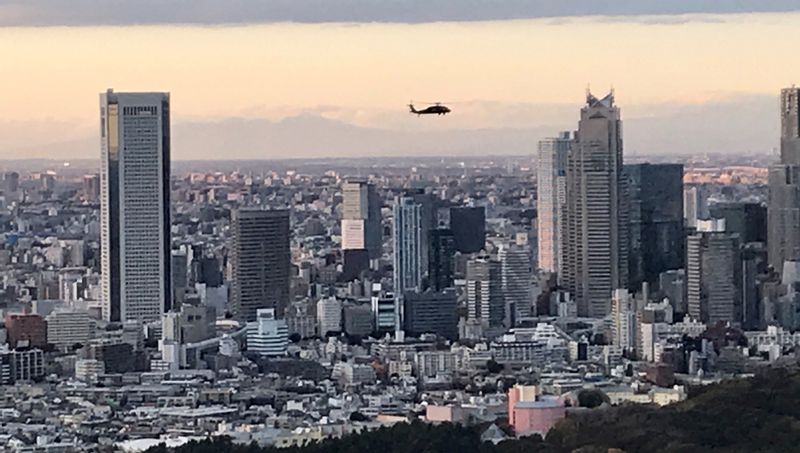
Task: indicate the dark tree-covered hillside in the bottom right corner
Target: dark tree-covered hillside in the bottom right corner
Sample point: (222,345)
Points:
(758,414)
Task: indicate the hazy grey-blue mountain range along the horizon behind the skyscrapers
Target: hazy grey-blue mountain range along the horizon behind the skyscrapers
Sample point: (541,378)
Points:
(749,124)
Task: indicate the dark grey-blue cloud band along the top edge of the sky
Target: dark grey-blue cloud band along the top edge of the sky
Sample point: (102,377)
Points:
(215,12)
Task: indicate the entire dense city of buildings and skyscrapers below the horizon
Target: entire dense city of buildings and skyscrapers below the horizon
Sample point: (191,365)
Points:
(282,303)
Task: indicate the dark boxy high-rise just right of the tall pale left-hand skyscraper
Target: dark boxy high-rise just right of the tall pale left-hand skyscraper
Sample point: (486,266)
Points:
(260,262)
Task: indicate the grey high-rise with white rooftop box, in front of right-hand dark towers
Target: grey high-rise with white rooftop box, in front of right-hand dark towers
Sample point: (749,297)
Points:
(713,274)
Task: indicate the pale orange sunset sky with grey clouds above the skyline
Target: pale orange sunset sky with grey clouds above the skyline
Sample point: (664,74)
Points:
(306,78)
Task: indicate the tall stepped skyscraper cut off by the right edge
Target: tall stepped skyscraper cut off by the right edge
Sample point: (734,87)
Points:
(784,187)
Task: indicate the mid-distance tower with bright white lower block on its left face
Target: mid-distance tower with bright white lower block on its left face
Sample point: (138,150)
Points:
(361,217)
